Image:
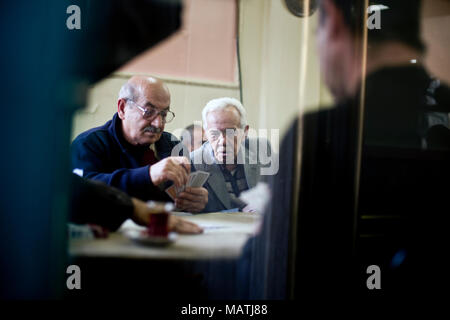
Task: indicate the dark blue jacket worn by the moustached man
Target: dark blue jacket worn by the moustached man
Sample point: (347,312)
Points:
(103,154)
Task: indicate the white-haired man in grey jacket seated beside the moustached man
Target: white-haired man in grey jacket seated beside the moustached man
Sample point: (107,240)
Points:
(228,155)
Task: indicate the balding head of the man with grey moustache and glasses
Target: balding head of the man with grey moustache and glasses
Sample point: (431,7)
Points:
(143,107)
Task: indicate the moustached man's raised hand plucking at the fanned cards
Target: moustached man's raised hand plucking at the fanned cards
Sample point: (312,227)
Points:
(175,169)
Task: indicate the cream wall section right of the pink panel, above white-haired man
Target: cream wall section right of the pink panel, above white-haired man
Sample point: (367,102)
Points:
(280,71)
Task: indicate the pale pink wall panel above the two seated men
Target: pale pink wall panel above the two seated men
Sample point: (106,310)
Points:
(204,48)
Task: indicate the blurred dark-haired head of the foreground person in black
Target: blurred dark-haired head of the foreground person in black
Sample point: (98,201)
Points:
(340,32)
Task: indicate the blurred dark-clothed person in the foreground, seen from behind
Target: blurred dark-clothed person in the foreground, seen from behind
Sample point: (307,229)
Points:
(405,117)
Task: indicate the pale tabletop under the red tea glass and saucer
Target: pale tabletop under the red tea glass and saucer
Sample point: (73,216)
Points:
(224,237)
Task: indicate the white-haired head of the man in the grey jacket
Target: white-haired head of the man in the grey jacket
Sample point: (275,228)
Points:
(225,124)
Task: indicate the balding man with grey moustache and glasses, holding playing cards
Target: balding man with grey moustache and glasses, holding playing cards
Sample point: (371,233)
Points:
(132,151)
